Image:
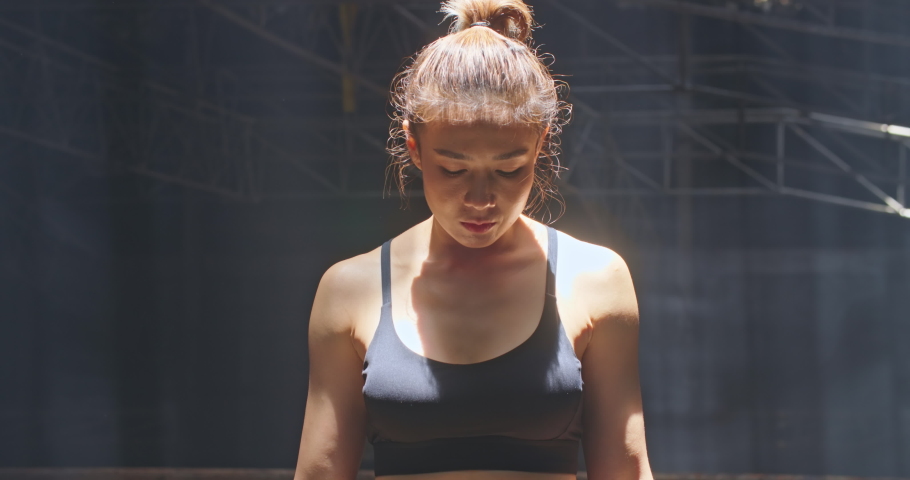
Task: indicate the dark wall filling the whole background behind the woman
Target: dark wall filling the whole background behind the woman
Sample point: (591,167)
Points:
(150,316)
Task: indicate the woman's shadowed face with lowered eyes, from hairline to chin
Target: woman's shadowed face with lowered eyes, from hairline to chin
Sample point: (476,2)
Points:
(476,177)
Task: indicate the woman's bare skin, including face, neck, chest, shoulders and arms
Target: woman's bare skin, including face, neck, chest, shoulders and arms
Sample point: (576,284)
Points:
(465,297)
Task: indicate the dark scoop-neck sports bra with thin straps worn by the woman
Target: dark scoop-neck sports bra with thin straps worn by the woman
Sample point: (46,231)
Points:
(519,411)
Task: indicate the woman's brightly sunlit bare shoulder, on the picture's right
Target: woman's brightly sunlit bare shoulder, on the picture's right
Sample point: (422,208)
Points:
(596,276)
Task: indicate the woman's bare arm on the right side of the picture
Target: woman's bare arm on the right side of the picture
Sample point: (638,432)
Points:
(614,434)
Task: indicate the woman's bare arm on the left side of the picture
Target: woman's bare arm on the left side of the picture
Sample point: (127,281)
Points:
(334,420)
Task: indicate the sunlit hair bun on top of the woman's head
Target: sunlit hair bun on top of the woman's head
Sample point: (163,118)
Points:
(510,18)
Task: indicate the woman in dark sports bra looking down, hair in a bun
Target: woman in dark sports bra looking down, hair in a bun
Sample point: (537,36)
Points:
(455,347)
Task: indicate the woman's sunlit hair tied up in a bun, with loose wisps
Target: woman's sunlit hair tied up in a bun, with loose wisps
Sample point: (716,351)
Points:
(483,71)
